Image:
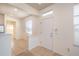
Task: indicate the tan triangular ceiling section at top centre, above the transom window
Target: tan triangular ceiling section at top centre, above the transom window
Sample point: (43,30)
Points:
(40,6)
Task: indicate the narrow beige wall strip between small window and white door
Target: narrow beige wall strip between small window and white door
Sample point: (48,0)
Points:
(36,31)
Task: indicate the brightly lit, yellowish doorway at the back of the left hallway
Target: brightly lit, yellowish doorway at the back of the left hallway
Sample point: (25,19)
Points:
(10,29)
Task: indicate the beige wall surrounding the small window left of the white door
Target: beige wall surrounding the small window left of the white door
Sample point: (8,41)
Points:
(33,40)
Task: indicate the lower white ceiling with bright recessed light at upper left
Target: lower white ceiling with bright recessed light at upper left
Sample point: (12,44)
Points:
(11,11)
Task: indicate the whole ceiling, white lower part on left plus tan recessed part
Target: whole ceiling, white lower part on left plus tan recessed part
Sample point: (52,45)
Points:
(21,10)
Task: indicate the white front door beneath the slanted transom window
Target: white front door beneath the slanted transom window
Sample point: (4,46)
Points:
(47,33)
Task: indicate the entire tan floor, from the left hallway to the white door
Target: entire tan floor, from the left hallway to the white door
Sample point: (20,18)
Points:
(19,50)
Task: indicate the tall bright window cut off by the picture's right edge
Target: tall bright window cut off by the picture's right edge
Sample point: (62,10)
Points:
(76,24)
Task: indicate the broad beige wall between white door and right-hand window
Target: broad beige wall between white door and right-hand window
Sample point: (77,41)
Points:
(63,38)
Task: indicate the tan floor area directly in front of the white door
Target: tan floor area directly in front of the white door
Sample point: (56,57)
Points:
(41,51)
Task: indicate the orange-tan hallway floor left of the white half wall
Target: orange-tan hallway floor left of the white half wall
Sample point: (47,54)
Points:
(19,46)
